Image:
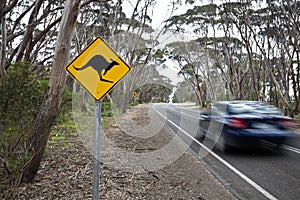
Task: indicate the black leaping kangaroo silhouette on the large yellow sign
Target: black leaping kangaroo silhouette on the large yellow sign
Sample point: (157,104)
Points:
(99,64)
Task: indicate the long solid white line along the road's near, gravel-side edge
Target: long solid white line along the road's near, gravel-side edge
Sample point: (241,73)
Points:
(239,173)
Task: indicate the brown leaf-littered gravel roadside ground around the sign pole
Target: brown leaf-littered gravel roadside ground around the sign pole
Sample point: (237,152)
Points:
(66,171)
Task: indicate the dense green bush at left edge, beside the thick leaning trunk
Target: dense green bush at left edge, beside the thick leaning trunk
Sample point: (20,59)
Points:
(21,95)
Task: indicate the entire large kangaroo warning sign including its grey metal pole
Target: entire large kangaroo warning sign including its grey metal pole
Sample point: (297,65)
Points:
(98,68)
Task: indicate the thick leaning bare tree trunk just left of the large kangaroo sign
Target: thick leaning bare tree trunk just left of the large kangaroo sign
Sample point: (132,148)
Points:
(52,99)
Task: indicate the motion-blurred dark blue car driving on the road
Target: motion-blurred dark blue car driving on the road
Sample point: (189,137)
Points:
(244,124)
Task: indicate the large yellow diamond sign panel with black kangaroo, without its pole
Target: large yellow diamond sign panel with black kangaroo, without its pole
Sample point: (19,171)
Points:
(98,68)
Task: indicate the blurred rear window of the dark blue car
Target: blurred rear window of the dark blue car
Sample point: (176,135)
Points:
(245,108)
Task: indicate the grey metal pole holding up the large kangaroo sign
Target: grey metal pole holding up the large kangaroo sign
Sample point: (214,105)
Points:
(96,150)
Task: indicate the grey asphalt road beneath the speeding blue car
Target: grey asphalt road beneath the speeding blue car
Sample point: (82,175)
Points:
(261,173)
